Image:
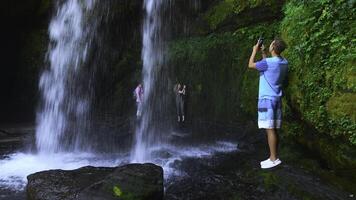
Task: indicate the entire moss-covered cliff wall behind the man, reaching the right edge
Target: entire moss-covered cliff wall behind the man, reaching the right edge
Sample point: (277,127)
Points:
(319,102)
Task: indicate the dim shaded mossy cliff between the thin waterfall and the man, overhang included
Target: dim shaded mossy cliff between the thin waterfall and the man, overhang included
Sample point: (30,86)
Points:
(214,63)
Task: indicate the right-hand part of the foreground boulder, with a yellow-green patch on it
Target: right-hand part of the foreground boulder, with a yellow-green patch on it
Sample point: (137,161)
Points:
(130,182)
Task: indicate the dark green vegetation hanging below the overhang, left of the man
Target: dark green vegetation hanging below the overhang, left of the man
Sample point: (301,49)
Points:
(214,67)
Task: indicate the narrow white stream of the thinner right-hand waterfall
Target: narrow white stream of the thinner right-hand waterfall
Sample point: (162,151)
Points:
(153,59)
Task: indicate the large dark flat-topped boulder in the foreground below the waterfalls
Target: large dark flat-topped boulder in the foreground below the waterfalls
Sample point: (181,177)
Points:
(134,181)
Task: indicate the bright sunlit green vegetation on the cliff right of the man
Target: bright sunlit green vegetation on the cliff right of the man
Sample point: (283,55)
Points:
(322,58)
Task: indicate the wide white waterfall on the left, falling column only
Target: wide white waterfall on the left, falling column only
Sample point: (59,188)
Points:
(65,86)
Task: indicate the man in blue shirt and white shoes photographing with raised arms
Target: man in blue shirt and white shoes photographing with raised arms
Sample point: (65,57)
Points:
(273,72)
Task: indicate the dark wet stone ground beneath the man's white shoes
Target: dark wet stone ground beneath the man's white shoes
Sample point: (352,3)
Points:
(237,175)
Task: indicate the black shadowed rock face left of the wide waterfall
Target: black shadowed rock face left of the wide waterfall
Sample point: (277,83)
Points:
(24,42)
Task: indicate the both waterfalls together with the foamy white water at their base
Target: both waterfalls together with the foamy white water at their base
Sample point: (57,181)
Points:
(65,121)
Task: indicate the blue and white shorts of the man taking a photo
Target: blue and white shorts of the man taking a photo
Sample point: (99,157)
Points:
(269,113)
